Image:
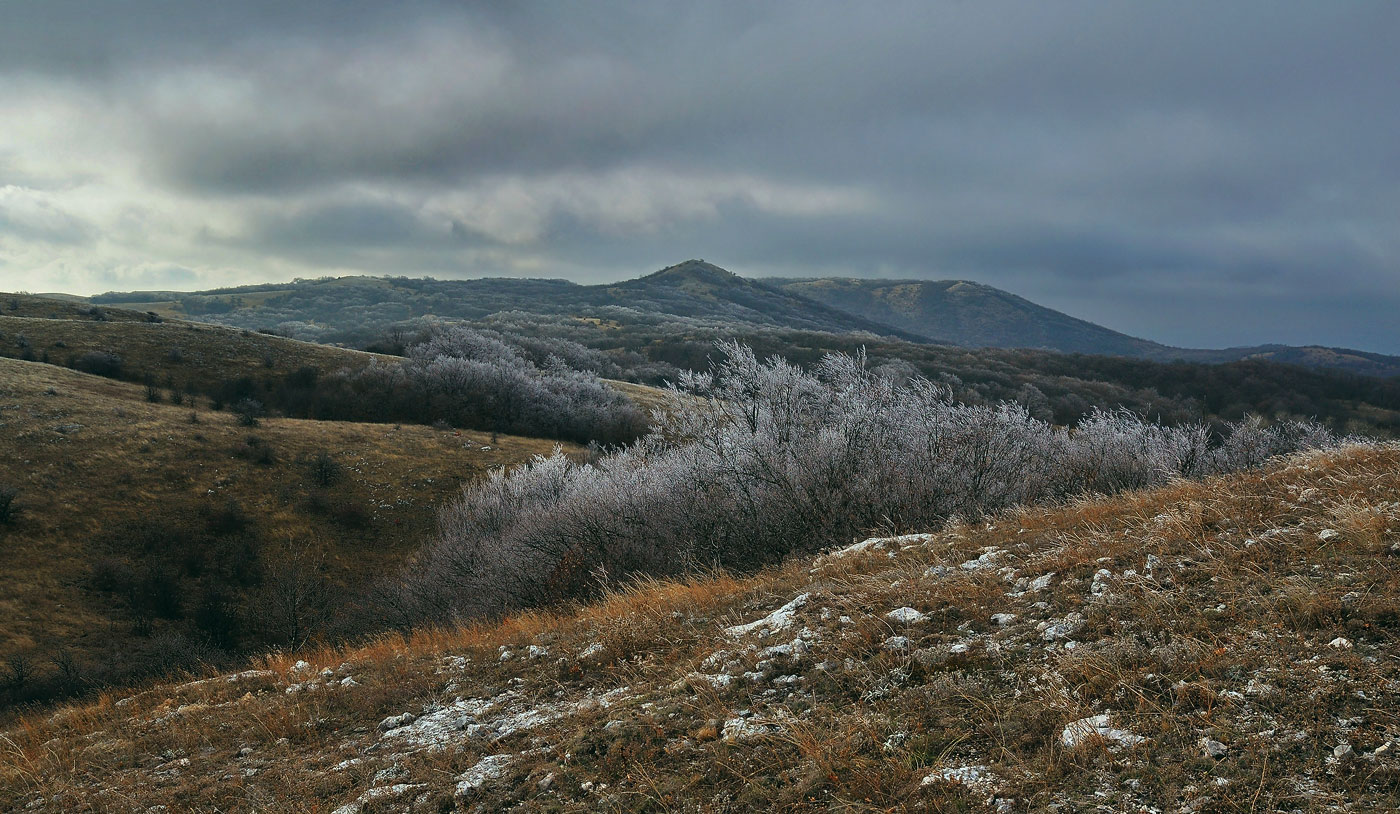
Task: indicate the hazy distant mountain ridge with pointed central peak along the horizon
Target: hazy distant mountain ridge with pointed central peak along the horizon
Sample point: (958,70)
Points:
(957,313)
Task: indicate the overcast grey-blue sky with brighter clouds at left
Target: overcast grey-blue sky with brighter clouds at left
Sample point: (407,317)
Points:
(1202,174)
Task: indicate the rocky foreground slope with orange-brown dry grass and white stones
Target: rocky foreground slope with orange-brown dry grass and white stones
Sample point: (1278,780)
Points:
(1219,647)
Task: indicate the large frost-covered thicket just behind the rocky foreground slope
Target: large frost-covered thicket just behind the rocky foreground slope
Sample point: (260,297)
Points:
(759,460)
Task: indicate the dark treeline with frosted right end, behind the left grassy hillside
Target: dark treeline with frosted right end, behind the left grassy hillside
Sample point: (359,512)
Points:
(450,375)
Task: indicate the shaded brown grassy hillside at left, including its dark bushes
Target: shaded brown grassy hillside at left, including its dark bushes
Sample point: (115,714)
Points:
(124,502)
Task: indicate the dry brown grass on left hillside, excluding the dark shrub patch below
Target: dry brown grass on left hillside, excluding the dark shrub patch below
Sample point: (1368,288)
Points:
(96,463)
